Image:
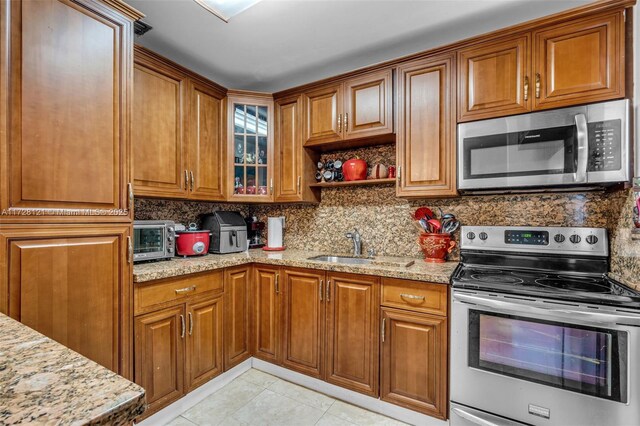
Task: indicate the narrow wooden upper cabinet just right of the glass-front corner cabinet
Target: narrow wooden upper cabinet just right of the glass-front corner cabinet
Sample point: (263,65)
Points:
(294,165)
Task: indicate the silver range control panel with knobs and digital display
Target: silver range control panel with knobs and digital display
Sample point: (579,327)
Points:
(562,240)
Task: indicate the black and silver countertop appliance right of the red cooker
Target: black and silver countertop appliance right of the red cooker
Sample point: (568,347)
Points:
(228,232)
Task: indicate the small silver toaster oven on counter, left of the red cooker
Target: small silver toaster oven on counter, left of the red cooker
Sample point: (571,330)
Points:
(153,240)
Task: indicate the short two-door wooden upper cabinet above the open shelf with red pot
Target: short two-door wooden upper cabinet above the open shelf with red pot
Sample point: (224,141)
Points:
(359,108)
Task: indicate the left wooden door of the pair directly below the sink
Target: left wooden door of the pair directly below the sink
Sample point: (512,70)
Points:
(304,318)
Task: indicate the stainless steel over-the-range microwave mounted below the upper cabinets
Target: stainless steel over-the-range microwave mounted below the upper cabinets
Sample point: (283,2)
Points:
(570,147)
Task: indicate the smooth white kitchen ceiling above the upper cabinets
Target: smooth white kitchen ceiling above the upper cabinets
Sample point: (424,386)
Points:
(278,44)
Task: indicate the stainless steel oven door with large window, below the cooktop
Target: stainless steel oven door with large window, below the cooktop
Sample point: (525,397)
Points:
(544,363)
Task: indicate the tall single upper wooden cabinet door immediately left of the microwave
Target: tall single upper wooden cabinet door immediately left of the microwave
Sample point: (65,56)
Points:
(426,131)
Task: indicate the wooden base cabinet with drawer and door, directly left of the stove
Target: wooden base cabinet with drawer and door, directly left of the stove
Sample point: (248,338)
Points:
(414,346)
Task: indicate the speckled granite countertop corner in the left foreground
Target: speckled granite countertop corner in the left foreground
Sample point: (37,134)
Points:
(44,382)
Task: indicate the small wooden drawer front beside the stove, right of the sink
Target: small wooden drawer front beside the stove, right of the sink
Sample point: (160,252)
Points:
(415,295)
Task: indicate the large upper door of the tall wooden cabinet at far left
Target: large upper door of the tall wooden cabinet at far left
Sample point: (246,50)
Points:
(64,136)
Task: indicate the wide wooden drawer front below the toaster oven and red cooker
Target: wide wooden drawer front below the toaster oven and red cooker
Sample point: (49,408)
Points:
(175,289)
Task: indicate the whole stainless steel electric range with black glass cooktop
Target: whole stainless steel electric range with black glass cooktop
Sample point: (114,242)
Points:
(539,334)
